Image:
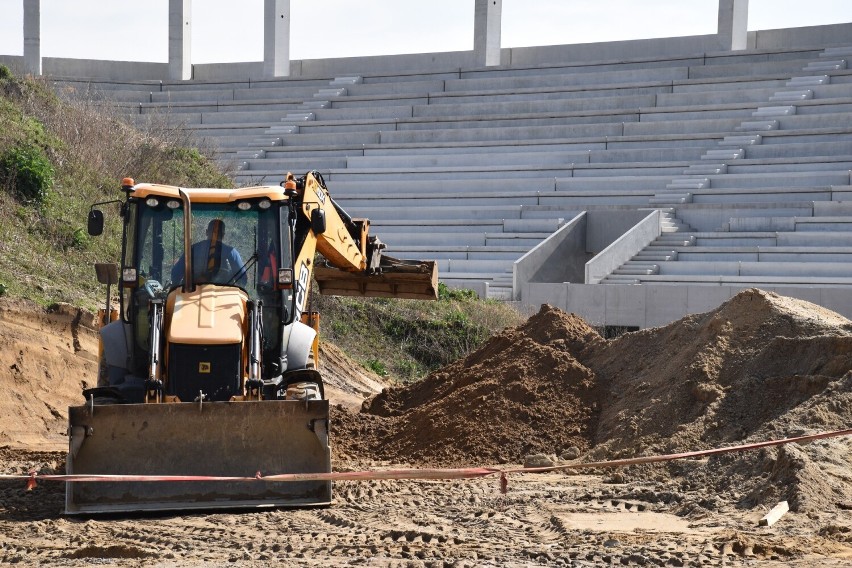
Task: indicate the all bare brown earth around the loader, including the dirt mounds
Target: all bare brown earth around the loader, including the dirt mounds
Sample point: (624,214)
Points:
(759,367)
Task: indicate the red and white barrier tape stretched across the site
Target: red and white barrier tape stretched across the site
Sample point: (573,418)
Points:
(462,473)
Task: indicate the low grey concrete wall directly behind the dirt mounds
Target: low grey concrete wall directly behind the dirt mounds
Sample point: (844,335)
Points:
(651,305)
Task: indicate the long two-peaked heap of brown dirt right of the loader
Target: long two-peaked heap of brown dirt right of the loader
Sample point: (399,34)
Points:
(760,366)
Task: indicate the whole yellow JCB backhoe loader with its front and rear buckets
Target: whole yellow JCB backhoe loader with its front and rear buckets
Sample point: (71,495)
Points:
(210,365)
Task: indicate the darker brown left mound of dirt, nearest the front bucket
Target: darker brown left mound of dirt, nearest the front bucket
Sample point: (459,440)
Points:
(522,392)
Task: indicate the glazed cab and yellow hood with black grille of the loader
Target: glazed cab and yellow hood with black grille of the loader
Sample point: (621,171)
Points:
(238,243)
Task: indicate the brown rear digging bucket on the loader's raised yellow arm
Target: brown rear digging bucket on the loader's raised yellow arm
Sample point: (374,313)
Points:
(411,279)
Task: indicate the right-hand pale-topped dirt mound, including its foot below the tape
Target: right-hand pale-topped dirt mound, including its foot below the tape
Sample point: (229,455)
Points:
(759,367)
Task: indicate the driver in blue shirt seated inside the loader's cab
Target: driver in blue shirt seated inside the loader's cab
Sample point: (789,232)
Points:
(213,261)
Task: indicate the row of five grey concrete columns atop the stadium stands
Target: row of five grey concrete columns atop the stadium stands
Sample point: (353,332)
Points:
(732,33)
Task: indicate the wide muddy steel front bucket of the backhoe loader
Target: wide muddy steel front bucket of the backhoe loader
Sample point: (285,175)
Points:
(222,439)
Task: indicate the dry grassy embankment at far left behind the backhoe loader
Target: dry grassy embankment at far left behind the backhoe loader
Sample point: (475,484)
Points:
(45,253)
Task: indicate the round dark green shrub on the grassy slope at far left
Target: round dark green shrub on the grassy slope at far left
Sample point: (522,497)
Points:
(27,171)
